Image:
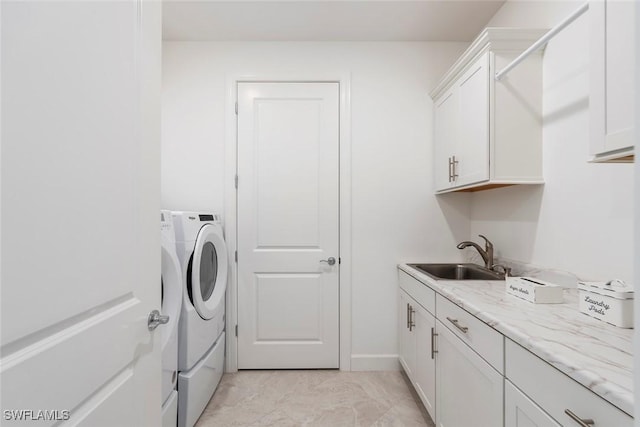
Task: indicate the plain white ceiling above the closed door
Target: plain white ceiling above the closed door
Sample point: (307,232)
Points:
(333,20)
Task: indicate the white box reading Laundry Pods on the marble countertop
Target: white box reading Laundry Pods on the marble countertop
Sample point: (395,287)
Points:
(611,302)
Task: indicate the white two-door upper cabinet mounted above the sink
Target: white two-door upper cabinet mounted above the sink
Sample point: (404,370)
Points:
(487,133)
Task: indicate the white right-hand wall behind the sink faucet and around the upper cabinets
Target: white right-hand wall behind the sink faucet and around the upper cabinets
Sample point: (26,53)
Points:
(581,221)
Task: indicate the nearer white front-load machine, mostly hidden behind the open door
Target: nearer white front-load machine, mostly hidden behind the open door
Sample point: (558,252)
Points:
(171,288)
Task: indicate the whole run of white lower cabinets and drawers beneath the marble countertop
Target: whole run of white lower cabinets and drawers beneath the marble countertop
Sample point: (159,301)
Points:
(468,374)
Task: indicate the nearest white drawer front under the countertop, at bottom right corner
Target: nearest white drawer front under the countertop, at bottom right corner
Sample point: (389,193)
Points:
(557,394)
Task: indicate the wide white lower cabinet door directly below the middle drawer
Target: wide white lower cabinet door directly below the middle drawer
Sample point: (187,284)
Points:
(468,390)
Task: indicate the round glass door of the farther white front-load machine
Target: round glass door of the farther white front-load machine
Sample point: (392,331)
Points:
(208,279)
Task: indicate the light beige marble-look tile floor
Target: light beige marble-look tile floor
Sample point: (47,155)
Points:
(314,398)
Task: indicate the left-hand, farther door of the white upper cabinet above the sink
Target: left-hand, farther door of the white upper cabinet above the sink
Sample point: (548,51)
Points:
(446,127)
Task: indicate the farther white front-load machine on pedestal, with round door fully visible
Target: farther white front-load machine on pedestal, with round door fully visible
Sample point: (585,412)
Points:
(203,257)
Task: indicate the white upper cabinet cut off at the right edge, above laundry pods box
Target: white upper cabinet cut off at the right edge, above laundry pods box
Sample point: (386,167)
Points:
(611,100)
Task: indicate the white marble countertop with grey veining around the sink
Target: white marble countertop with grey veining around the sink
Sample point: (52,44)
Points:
(593,353)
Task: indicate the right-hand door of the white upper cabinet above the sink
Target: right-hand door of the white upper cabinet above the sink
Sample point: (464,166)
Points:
(471,162)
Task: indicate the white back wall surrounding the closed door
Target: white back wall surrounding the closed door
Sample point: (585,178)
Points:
(395,216)
